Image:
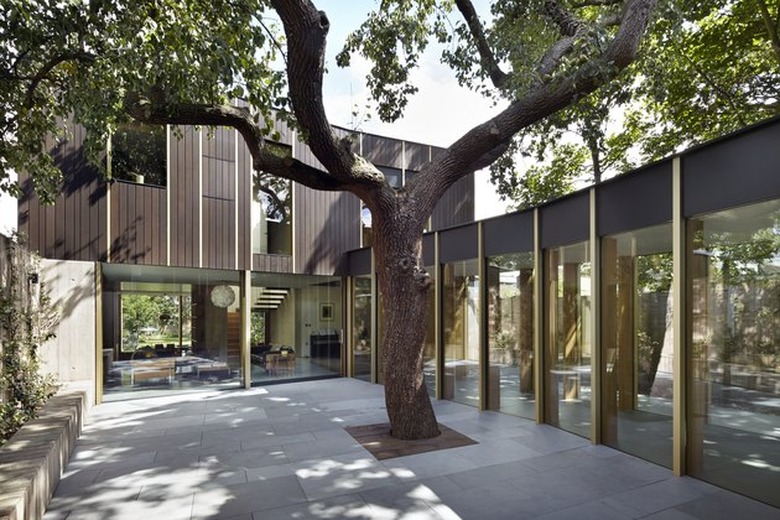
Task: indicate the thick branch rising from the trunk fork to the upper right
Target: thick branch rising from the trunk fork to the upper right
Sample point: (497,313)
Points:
(469,152)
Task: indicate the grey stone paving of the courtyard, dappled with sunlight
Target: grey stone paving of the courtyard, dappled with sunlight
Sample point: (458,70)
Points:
(281,452)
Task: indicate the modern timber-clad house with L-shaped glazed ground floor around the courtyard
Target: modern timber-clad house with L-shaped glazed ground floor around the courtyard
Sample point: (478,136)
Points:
(642,313)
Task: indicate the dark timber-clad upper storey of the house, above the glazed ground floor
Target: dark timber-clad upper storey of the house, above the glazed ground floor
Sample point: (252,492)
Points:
(189,198)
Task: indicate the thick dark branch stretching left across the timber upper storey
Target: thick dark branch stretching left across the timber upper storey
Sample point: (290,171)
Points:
(263,160)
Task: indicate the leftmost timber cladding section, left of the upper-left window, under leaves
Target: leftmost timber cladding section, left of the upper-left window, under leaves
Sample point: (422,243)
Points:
(75,226)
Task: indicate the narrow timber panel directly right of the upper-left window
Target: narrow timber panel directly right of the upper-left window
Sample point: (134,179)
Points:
(185,198)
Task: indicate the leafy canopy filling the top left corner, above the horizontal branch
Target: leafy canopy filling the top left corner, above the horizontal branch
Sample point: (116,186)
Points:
(83,58)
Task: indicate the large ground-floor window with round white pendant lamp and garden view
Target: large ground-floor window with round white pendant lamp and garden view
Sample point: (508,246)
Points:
(169,329)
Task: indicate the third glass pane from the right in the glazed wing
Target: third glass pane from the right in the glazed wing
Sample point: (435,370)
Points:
(568,348)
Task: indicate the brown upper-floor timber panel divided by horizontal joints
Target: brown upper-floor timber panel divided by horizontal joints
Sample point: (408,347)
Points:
(219,204)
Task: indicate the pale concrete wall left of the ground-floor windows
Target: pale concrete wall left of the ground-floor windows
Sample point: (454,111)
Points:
(70,356)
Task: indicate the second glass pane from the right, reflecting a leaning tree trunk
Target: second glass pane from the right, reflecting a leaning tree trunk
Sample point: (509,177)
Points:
(637,343)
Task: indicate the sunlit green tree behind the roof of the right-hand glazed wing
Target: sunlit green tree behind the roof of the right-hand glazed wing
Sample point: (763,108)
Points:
(709,68)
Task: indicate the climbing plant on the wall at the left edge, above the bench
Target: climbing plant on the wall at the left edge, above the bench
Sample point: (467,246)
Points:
(27,320)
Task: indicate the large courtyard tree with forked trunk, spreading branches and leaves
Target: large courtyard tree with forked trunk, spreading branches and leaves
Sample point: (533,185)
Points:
(172,62)
